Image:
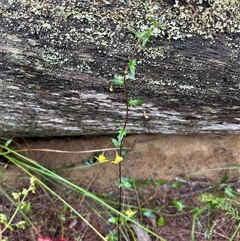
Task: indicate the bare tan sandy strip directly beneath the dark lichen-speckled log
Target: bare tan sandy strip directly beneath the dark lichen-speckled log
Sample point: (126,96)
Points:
(149,156)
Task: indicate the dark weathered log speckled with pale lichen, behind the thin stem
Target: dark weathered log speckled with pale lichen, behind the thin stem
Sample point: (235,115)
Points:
(57,56)
